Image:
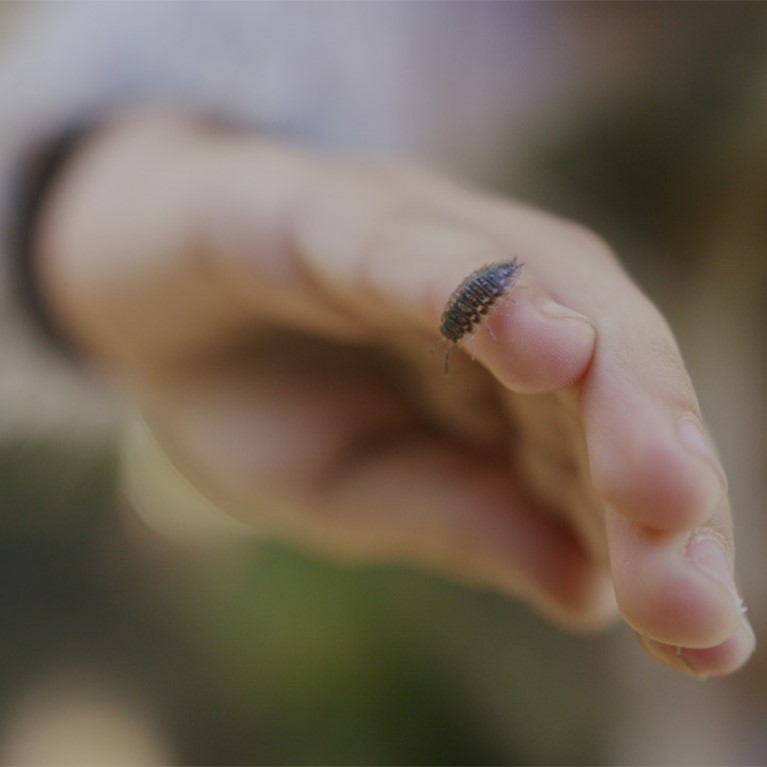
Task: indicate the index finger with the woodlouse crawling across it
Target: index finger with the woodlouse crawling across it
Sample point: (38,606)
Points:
(399,271)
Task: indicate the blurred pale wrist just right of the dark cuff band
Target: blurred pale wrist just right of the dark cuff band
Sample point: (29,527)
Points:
(122,197)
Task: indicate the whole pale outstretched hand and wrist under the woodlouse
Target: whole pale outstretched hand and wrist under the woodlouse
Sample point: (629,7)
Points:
(273,313)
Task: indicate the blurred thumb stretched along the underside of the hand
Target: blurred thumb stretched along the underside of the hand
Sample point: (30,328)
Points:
(340,466)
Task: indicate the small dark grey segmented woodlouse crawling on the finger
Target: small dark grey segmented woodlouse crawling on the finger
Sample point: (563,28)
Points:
(474,298)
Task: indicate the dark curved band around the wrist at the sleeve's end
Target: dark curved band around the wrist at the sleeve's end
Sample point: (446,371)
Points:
(38,176)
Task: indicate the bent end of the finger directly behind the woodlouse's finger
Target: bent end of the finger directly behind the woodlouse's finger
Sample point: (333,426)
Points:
(650,457)
